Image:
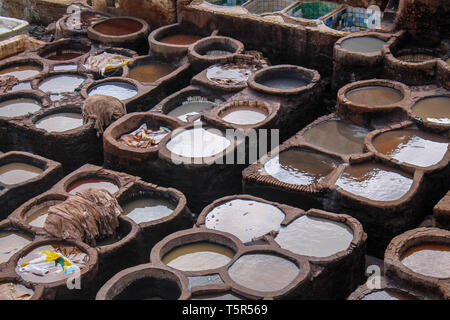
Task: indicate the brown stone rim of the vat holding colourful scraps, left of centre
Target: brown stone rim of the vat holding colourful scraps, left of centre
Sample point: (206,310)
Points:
(129,123)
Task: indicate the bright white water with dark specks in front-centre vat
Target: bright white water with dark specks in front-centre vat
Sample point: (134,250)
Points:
(246,219)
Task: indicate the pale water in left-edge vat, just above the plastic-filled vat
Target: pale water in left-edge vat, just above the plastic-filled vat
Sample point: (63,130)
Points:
(12,240)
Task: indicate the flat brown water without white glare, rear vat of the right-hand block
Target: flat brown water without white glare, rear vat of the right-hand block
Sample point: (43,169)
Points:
(337,136)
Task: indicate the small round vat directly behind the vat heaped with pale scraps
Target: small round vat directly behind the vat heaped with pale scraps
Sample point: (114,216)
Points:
(212,50)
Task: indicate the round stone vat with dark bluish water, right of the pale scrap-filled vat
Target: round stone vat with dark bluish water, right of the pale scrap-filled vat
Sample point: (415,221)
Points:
(283,80)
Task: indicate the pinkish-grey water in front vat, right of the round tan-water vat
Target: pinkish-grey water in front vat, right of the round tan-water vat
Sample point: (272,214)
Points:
(263,272)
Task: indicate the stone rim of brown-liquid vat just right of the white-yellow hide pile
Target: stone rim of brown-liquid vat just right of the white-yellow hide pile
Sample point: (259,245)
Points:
(180,64)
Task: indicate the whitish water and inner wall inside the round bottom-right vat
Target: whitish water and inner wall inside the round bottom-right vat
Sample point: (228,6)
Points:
(431,260)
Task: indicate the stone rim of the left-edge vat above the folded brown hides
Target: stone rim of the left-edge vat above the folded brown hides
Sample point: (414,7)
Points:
(13,195)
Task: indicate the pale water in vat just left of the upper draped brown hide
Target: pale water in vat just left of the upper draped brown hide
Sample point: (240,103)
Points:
(60,122)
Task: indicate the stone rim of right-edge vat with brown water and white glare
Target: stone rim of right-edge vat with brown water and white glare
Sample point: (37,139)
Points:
(404,165)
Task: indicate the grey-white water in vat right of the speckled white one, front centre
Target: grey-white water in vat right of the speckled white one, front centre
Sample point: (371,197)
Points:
(315,237)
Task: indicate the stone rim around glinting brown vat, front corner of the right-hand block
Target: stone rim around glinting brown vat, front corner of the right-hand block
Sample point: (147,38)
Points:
(415,175)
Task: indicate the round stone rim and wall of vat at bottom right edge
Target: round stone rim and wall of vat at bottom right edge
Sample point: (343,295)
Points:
(409,242)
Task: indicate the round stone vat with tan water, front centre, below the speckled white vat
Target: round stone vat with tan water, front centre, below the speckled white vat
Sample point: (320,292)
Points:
(196,252)
